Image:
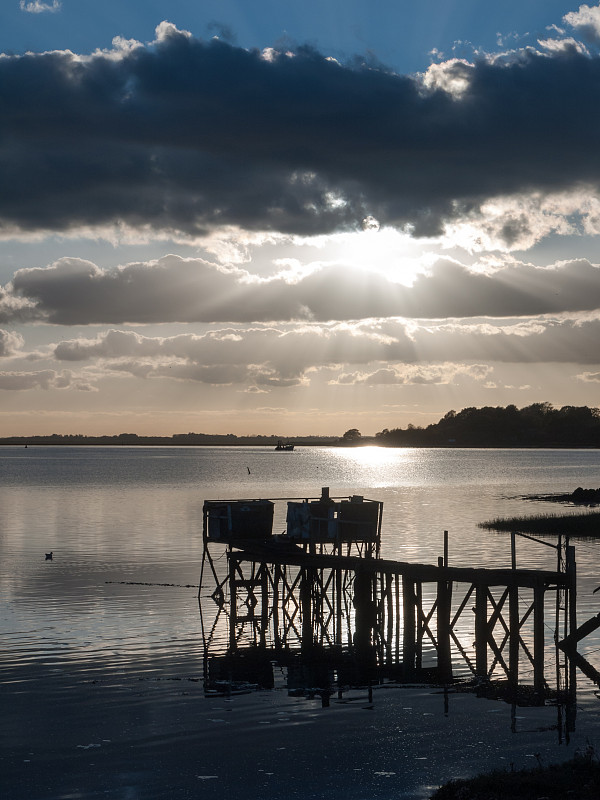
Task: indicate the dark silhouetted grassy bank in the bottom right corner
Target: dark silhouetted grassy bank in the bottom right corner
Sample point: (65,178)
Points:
(578,779)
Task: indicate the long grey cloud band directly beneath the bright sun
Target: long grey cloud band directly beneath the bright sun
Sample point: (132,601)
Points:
(174,289)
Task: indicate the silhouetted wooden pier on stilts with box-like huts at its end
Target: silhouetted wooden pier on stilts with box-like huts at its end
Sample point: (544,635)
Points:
(321,591)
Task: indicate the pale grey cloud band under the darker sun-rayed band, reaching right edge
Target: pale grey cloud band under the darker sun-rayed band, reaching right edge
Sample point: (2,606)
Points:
(370,353)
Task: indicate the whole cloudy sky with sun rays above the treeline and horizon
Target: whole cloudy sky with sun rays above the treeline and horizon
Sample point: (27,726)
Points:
(295,218)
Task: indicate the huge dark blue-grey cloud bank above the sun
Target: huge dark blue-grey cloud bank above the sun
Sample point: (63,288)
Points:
(188,135)
